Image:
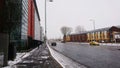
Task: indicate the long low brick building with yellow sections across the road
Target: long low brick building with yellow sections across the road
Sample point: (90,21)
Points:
(109,34)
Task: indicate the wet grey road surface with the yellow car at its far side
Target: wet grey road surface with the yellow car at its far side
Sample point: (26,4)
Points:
(91,56)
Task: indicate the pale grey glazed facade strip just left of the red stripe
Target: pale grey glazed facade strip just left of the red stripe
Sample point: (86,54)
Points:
(24,23)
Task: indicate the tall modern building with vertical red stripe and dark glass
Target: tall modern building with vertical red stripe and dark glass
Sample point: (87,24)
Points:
(19,25)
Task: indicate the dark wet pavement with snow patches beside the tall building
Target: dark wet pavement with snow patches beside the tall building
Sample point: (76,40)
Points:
(37,58)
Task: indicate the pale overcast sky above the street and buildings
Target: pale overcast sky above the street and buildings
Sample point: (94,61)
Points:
(72,13)
